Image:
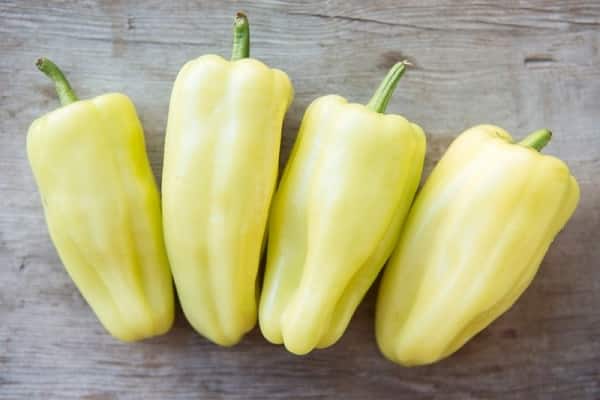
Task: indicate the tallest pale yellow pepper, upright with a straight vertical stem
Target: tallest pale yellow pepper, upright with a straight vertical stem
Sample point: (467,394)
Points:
(220,168)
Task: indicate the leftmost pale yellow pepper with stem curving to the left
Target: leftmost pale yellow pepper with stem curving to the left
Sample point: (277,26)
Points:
(102,208)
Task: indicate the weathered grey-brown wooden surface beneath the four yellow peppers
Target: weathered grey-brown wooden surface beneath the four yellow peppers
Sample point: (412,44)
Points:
(519,64)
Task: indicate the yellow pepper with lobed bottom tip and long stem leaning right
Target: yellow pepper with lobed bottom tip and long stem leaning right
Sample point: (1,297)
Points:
(338,210)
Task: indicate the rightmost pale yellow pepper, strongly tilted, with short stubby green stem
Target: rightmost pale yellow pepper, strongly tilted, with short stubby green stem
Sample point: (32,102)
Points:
(472,243)
